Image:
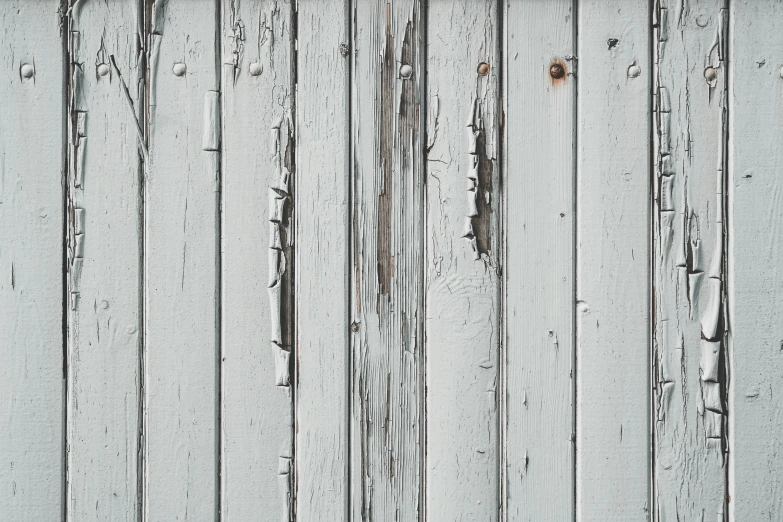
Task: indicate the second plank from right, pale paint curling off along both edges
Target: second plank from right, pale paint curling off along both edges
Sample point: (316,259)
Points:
(690,134)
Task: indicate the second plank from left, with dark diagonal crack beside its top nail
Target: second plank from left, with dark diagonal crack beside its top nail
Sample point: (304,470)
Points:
(104,270)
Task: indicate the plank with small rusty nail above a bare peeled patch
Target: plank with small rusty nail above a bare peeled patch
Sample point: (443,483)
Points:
(463,249)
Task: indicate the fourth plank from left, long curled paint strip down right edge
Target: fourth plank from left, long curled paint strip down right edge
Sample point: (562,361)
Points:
(257,260)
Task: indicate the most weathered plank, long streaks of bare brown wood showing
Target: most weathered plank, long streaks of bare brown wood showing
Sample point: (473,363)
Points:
(387,228)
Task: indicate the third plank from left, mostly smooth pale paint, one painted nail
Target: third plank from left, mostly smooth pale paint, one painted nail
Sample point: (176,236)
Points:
(181,263)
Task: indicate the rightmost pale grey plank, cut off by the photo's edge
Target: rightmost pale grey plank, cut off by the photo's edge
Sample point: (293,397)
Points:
(755,255)
